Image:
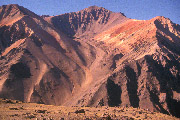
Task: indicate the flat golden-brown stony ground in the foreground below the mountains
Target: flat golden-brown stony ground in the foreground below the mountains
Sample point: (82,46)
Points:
(16,110)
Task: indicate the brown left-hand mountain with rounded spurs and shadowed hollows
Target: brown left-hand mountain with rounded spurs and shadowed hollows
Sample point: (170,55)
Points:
(52,60)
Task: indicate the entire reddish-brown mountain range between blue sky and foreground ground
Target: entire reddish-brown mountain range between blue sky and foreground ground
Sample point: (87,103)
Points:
(93,57)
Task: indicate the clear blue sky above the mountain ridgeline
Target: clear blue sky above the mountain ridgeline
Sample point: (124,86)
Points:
(135,9)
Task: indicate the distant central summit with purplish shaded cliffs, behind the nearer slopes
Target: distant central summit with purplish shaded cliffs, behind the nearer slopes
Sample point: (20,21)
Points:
(88,21)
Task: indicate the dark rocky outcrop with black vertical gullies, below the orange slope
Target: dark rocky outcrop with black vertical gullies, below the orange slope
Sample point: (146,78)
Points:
(145,83)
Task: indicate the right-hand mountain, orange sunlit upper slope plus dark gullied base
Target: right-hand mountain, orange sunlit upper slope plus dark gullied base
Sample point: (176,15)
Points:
(146,70)
